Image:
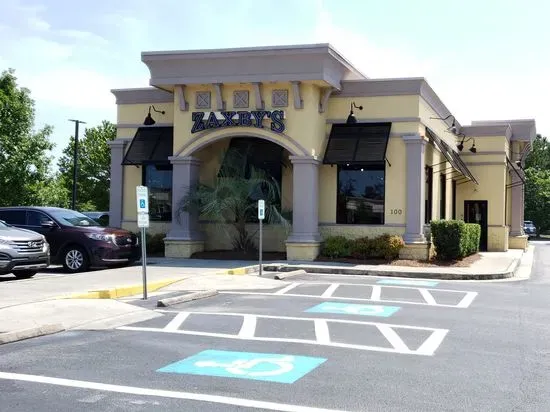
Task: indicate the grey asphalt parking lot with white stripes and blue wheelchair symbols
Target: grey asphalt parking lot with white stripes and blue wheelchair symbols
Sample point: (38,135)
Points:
(314,343)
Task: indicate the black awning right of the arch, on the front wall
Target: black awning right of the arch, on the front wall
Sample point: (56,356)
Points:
(362,143)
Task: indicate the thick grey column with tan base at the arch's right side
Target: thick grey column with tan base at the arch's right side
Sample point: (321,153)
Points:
(304,241)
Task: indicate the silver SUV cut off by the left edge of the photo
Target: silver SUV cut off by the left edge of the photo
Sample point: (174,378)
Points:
(22,252)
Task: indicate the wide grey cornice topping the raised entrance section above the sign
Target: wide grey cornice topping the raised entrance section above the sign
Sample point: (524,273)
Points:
(310,62)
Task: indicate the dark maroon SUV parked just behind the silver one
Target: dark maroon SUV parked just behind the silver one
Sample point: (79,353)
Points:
(76,241)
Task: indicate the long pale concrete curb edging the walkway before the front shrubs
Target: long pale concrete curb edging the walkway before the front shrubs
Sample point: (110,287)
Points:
(508,273)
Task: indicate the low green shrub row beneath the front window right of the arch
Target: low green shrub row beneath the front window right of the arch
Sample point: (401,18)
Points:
(382,247)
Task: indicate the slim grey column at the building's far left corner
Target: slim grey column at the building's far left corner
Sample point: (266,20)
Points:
(118,147)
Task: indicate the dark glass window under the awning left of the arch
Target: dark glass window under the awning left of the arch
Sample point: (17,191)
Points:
(158,179)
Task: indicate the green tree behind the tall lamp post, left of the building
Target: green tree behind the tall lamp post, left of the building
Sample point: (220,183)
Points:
(94,167)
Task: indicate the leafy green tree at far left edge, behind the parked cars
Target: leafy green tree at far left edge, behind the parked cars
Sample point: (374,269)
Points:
(24,160)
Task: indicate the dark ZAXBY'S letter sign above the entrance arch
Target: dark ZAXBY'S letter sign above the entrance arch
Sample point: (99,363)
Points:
(254,118)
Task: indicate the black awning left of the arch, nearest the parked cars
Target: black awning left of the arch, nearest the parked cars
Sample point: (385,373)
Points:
(150,145)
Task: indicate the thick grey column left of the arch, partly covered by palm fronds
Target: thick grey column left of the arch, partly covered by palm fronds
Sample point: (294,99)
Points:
(184,237)
